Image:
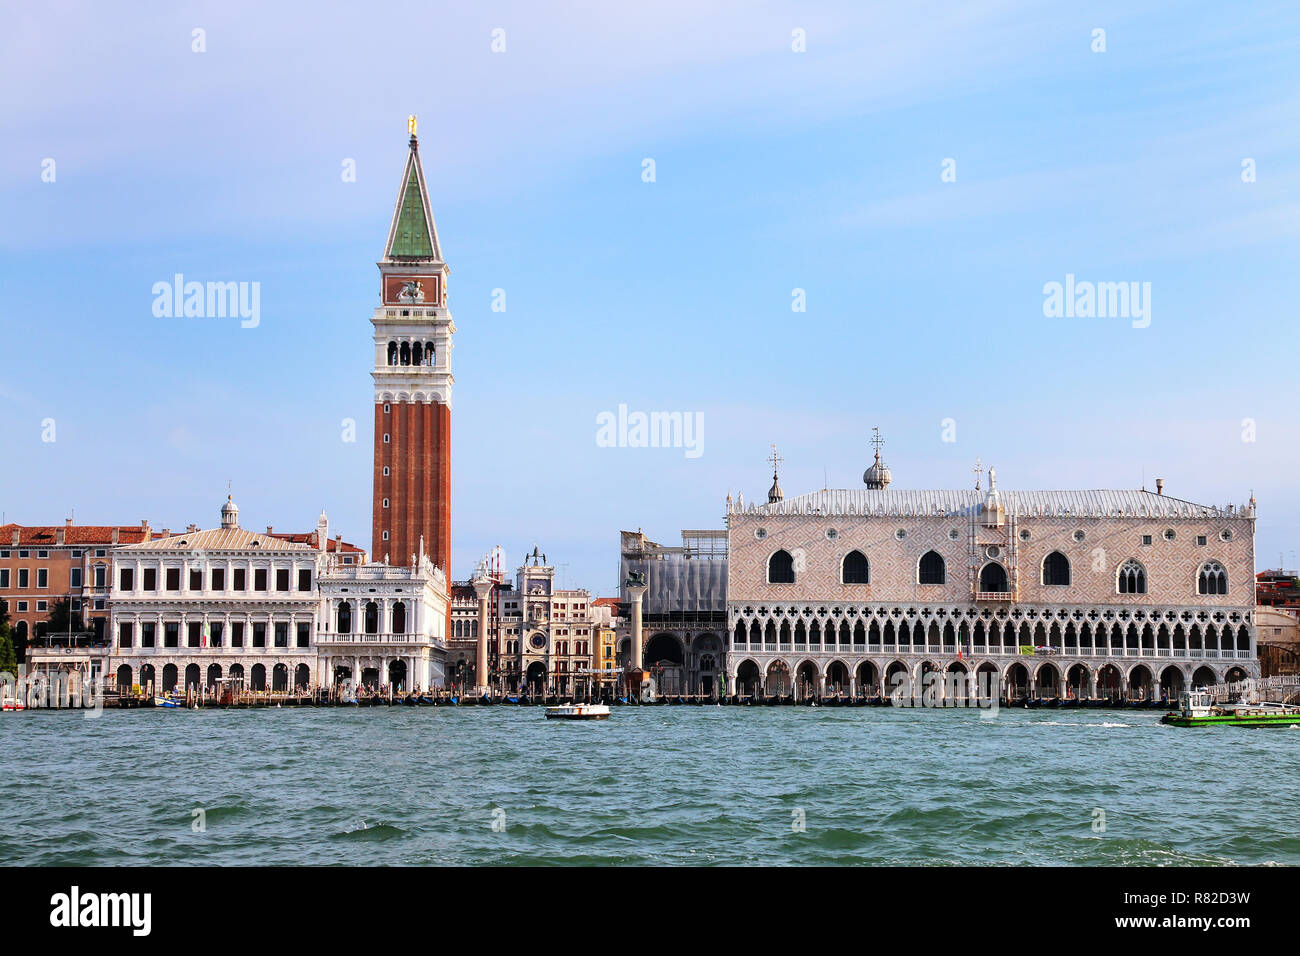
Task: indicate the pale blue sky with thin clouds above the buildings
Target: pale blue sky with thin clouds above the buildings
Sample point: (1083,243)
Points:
(775,171)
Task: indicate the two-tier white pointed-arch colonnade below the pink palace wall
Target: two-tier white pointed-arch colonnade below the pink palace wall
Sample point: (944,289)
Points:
(1137,654)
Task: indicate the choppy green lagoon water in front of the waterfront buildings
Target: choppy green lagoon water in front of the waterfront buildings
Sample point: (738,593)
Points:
(673,785)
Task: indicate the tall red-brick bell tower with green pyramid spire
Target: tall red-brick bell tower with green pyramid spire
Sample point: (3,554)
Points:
(413,384)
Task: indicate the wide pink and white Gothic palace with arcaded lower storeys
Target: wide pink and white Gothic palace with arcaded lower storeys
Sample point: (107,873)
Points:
(1090,594)
